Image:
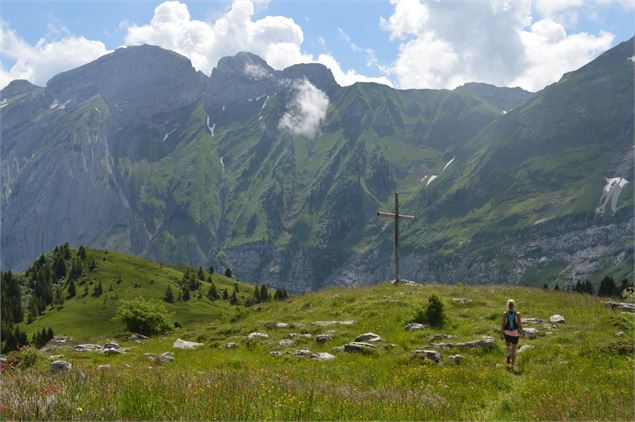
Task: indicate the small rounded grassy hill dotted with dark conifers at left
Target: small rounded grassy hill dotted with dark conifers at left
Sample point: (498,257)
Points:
(125,277)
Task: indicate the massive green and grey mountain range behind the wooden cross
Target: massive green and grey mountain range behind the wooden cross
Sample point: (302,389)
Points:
(279,174)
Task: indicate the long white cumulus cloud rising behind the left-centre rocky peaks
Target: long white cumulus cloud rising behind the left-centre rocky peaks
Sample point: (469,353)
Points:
(277,39)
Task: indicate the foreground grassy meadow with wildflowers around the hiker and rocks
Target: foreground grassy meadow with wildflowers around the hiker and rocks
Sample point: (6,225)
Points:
(579,370)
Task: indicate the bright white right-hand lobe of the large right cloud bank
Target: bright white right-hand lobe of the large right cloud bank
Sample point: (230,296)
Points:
(550,52)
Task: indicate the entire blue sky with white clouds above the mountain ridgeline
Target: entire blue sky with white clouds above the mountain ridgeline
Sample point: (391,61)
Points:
(404,43)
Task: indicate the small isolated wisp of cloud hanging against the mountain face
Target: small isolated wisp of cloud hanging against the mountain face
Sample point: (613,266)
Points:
(306,110)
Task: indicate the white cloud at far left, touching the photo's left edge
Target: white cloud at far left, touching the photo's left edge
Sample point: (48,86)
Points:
(57,52)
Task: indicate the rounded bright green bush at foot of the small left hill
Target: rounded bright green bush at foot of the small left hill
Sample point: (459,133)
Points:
(144,317)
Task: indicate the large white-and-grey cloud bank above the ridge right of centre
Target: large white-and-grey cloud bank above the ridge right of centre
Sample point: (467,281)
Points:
(498,43)
